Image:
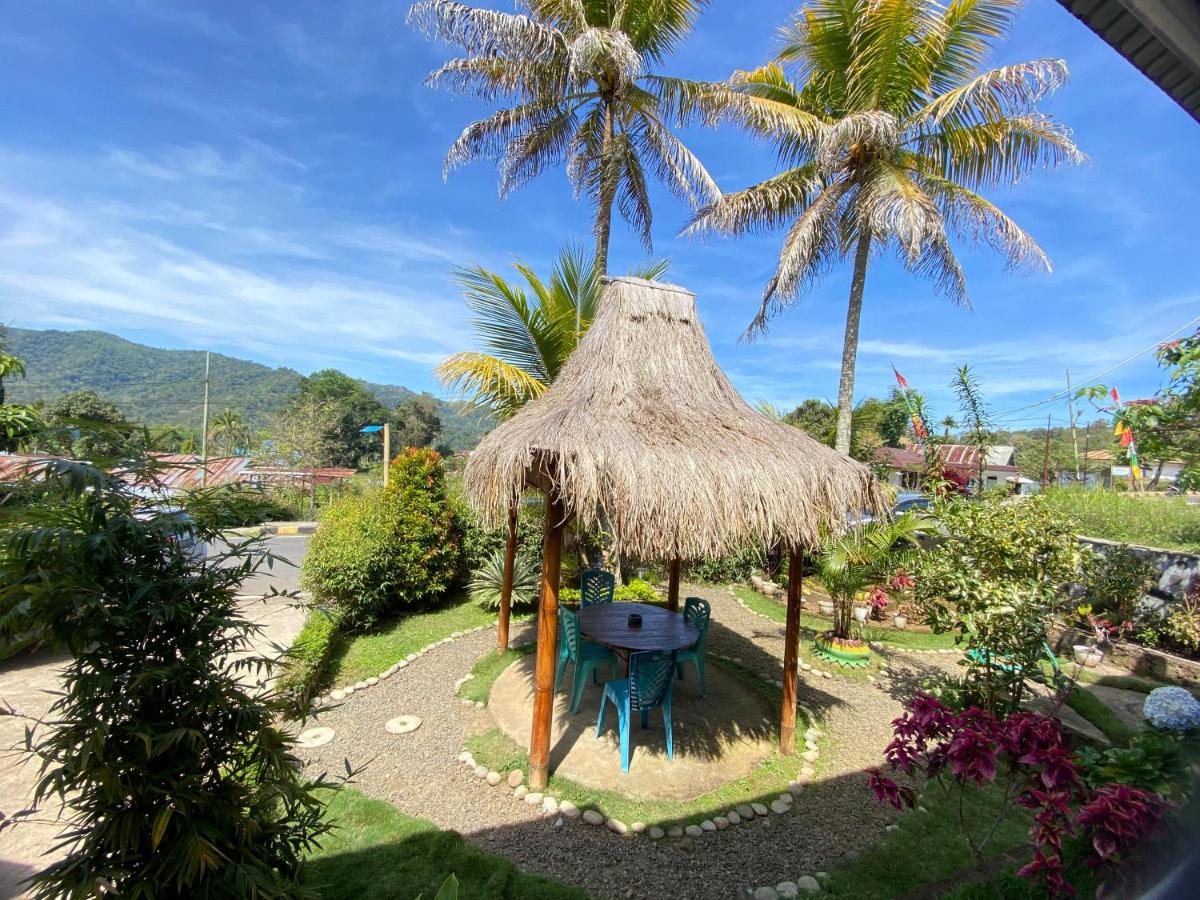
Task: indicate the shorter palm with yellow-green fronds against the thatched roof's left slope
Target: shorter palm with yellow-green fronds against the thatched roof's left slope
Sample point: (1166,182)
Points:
(527,332)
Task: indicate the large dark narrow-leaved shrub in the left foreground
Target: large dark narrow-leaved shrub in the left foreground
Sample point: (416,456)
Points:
(178,782)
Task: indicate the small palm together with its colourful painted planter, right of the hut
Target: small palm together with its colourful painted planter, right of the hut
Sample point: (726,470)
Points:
(859,562)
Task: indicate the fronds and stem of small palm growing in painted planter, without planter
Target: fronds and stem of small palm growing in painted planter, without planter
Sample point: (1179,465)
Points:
(865,557)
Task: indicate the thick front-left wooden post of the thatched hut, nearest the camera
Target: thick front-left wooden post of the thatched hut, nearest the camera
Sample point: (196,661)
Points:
(548,646)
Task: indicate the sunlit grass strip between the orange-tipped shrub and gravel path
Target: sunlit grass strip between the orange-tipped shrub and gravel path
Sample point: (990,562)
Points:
(369,655)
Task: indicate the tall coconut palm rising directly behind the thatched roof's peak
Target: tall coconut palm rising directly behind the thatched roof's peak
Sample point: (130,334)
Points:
(573,81)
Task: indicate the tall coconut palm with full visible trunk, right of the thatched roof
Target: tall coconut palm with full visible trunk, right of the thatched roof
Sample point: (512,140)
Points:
(890,134)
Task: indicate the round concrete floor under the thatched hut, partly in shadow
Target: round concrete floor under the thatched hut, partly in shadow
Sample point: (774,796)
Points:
(717,739)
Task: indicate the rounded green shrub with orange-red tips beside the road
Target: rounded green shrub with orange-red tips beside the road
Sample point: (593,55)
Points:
(395,549)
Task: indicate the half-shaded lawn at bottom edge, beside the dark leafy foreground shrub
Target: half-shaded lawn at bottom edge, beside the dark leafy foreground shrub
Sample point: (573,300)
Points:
(376,853)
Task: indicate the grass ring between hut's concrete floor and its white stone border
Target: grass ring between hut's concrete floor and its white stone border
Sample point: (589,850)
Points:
(497,752)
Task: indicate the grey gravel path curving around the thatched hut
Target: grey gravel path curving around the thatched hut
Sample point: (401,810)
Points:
(421,775)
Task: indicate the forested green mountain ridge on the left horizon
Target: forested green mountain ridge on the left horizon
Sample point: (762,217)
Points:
(161,387)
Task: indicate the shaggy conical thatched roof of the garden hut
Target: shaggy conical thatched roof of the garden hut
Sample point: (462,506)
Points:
(644,423)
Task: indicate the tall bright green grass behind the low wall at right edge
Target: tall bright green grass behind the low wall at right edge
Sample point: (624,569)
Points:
(1167,523)
